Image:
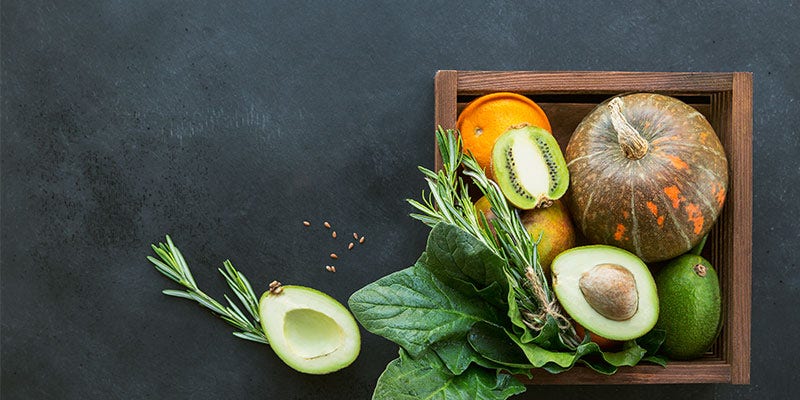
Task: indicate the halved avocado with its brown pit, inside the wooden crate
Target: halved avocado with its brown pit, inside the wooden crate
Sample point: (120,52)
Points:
(606,289)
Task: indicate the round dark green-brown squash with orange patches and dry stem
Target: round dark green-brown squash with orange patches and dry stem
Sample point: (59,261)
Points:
(647,174)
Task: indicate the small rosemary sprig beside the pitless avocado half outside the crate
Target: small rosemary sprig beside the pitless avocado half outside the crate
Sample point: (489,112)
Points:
(172,265)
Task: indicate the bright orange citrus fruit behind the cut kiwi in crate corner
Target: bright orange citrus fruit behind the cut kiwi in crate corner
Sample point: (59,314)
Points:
(489,116)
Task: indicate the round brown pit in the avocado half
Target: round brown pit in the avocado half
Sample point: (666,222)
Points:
(610,289)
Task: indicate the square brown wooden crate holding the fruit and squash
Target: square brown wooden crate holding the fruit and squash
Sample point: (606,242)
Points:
(726,101)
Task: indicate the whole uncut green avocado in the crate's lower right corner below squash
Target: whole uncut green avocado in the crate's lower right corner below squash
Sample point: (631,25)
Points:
(690,304)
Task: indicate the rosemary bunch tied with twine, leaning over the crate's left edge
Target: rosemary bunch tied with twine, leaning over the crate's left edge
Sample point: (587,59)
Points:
(449,201)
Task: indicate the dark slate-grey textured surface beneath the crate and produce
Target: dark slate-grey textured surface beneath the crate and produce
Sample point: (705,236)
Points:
(226,125)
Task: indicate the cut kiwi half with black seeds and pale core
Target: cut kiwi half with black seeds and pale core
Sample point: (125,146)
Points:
(529,167)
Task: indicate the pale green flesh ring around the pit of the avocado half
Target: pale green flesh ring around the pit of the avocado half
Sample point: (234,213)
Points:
(567,270)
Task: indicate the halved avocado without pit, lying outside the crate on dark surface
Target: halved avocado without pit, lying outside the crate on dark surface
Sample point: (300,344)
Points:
(309,330)
